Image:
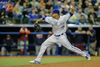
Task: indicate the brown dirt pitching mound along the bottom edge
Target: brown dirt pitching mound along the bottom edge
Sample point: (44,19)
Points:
(92,63)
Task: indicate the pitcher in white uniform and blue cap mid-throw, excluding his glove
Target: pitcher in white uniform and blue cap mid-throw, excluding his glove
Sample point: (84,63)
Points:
(59,36)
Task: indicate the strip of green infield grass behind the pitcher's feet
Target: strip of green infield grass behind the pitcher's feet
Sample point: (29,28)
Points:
(12,61)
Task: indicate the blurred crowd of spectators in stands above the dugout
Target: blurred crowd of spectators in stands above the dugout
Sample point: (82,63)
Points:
(28,11)
